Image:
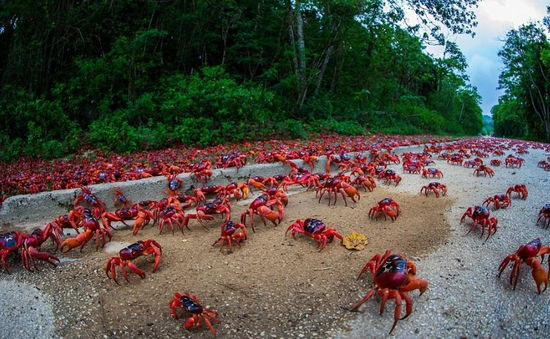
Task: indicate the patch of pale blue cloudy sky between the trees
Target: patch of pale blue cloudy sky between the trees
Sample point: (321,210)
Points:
(495,18)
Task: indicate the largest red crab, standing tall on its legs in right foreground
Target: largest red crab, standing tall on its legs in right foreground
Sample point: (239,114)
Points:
(393,277)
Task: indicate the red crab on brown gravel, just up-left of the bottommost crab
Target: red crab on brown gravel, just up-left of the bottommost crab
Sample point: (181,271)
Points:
(134,251)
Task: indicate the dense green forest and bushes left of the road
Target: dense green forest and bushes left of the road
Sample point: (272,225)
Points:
(135,74)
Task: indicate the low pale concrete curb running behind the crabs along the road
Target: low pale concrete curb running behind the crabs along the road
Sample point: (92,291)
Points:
(25,212)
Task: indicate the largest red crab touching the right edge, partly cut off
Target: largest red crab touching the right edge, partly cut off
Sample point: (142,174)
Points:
(528,254)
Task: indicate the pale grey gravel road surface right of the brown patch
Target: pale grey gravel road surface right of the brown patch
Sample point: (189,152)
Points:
(465,298)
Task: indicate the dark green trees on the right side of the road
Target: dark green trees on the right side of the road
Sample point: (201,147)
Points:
(524,110)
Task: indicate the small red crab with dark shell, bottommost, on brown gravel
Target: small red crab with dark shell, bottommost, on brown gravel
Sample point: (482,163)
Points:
(192,305)
